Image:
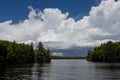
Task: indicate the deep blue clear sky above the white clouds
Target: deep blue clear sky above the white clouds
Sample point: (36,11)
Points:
(16,10)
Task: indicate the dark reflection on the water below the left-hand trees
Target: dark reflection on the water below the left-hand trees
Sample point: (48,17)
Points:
(21,72)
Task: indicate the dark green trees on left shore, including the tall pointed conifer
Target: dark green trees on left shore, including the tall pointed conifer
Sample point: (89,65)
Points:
(12,52)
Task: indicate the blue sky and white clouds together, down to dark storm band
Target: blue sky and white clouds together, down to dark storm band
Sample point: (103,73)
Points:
(60,24)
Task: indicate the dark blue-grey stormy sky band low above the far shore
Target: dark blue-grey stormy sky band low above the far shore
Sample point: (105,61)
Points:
(74,52)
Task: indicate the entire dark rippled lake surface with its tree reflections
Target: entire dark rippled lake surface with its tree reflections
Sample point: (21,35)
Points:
(61,70)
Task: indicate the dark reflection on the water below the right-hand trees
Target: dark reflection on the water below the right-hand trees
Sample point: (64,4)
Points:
(108,71)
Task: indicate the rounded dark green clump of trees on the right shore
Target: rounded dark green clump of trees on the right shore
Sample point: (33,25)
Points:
(107,52)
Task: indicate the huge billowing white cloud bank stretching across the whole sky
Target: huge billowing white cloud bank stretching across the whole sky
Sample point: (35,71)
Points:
(57,30)
